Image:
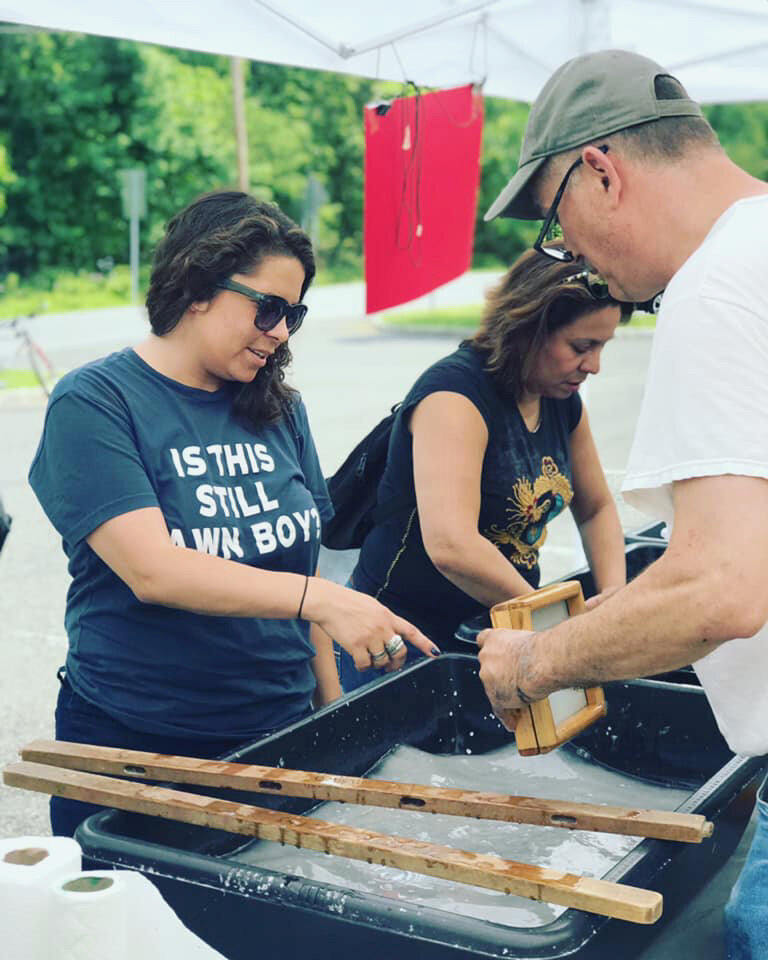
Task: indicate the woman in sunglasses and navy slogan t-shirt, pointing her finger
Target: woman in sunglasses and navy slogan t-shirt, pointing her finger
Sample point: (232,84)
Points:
(184,481)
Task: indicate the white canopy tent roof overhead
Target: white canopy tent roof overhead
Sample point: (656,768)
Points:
(717,48)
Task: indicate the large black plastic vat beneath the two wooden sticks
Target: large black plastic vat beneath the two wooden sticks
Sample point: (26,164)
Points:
(654,731)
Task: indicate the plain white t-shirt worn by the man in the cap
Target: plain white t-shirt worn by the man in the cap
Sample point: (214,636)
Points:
(705,413)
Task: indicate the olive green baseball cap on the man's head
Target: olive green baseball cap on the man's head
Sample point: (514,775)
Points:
(588,97)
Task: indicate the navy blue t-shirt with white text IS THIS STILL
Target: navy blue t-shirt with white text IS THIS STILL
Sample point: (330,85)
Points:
(118,437)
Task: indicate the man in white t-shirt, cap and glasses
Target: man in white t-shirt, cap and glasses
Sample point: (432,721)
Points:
(621,164)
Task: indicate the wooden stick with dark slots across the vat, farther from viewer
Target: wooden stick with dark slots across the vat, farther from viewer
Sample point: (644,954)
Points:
(659,824)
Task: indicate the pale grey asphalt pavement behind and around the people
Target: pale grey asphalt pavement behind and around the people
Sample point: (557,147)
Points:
(350,372)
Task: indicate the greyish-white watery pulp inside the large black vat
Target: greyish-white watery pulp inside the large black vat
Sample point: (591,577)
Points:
(560,775)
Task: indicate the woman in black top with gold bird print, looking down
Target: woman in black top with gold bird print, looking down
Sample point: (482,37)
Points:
(490,444)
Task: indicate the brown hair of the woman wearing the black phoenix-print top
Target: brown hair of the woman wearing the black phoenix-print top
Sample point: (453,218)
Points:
(536,297)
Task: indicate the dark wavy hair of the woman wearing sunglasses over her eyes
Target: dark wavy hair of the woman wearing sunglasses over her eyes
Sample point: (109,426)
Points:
(216,236)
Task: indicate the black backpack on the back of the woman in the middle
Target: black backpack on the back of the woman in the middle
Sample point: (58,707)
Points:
(354,486)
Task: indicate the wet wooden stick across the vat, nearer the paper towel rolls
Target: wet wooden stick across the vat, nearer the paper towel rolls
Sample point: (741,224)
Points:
(523,880)
